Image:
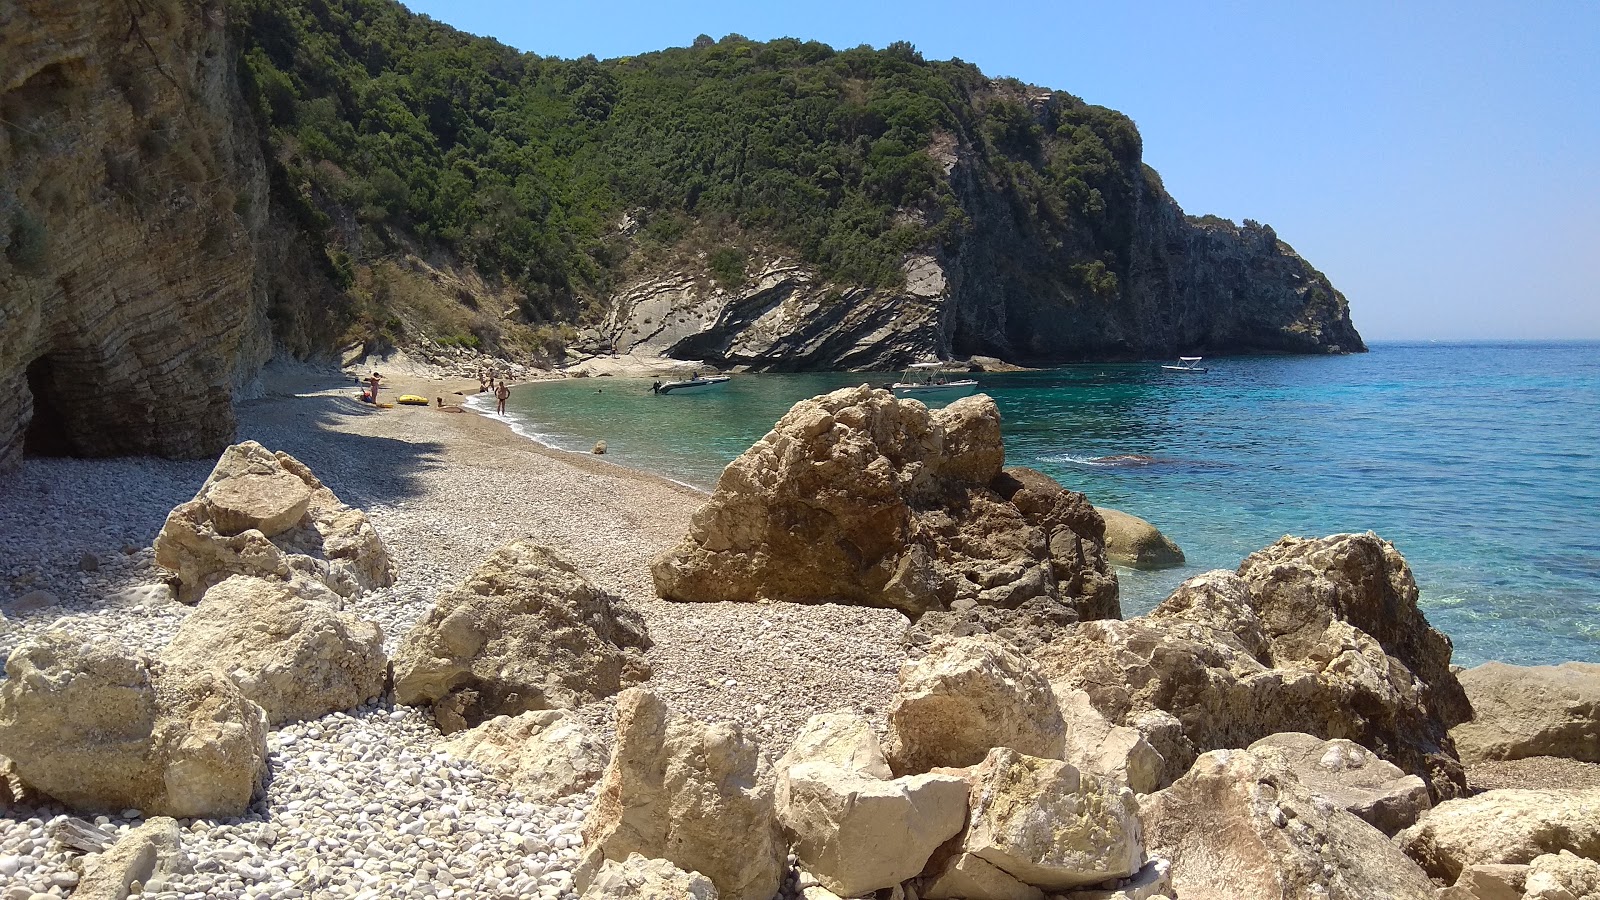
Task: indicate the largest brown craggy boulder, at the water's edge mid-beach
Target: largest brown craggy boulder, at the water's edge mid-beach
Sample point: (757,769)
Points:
(860,499)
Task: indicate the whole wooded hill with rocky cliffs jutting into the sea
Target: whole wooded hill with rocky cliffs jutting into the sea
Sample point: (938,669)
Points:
(772,204)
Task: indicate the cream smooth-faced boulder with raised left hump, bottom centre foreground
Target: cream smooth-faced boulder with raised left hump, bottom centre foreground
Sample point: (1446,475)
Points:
(854,827)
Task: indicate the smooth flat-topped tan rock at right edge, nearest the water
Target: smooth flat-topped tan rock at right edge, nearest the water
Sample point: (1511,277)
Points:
(1521,712)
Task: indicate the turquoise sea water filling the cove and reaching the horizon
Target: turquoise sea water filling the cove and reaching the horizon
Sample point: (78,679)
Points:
(1479,462)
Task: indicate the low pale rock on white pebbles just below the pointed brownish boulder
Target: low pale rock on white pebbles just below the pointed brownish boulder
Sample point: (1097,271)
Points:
(545,755)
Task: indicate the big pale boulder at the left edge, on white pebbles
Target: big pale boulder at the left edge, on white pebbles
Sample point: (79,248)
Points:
(102,729)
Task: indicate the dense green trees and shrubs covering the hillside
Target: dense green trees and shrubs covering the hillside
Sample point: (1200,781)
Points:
(524,166)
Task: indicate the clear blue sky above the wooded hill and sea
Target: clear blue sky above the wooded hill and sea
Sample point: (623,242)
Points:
(1439,161)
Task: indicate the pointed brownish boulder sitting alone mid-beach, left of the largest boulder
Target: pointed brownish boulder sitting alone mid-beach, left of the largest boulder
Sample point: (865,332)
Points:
(524,632)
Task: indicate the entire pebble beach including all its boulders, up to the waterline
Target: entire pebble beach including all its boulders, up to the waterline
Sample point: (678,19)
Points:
(428,659)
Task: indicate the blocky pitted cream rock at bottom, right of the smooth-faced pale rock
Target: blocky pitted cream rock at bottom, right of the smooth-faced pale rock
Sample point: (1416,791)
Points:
(1049,826)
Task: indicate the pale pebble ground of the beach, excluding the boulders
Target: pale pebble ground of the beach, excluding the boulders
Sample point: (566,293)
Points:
(359,803)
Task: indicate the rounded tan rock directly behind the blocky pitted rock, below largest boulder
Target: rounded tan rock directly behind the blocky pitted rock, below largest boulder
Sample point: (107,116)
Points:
(967,697)
